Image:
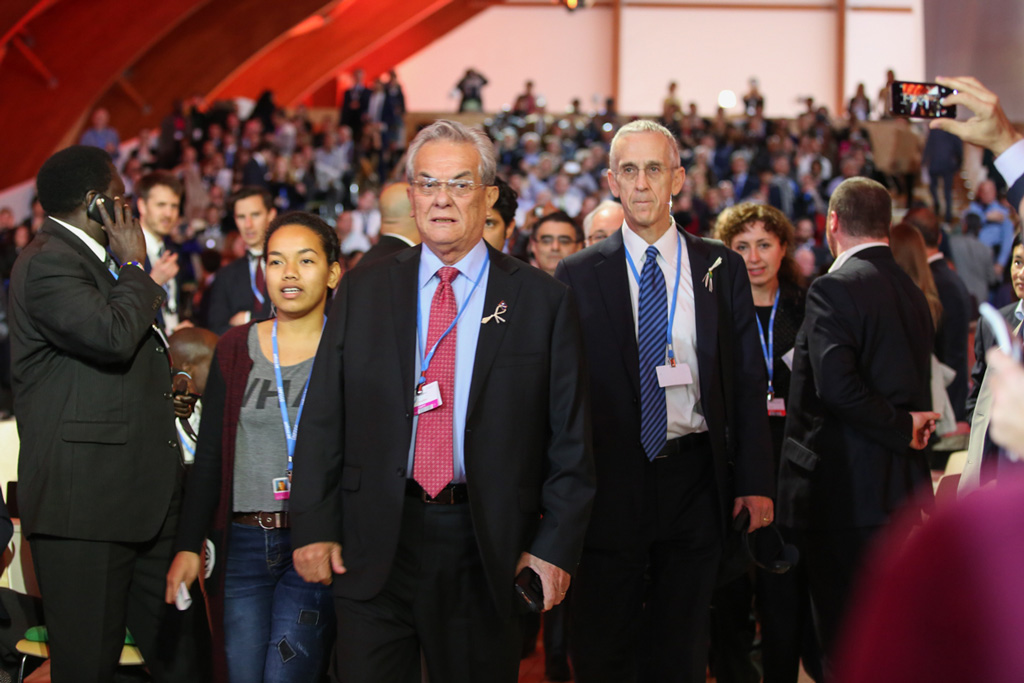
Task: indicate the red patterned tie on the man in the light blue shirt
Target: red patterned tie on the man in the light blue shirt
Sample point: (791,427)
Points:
(433,460)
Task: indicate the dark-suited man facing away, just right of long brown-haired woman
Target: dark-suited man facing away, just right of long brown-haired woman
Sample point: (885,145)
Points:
(951,337)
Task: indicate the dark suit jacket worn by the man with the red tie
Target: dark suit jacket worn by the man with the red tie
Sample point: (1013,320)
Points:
(529,465)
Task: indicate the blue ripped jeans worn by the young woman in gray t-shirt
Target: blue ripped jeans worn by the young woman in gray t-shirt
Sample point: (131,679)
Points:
(277,627)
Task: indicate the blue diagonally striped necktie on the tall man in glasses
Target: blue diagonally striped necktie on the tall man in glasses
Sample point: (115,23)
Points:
(654,330)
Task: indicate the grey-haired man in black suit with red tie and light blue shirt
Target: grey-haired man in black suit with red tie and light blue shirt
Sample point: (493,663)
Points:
(424,513)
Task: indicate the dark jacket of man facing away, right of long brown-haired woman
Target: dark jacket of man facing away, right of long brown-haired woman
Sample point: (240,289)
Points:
(951,338)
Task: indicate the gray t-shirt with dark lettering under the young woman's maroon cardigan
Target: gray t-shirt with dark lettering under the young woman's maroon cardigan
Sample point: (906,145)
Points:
(261,448)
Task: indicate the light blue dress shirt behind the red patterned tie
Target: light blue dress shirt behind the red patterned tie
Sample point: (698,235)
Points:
(468,331)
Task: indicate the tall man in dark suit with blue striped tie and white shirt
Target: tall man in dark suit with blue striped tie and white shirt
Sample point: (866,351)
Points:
(681,446)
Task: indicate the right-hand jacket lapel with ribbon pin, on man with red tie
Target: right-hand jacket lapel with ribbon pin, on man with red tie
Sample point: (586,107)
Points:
(502,286)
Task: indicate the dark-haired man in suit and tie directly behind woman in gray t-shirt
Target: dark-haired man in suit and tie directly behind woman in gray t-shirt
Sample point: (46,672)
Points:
(239,291)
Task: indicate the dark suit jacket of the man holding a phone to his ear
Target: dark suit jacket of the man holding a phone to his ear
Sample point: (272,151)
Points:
(100,456)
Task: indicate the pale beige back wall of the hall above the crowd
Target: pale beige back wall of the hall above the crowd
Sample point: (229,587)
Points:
(792,52)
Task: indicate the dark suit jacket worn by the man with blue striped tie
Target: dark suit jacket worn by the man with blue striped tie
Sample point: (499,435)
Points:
(732,374)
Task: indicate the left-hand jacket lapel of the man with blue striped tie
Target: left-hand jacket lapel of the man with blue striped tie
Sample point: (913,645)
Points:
(612,278)
